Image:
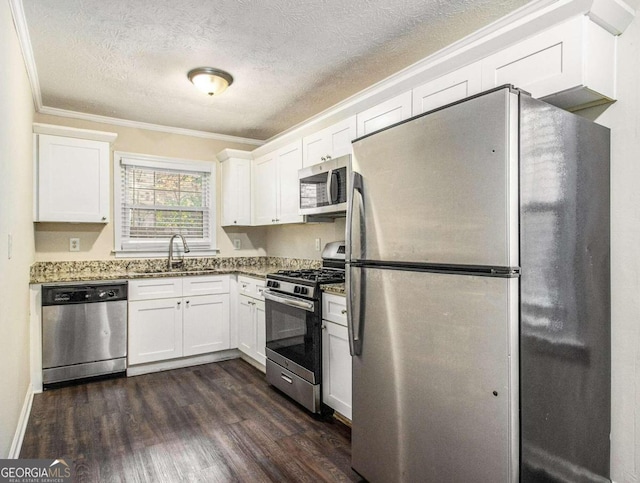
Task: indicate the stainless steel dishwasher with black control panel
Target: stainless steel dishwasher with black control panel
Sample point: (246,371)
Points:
(84,331)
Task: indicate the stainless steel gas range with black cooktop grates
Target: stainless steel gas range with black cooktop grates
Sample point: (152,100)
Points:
(293,307)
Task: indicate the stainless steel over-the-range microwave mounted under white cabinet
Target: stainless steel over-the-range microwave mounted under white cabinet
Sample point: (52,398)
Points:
(323,187)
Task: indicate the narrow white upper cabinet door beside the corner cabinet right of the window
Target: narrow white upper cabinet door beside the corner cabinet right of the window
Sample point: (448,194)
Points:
(264,183)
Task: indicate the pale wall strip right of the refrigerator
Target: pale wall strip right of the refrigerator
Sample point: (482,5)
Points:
(623,117)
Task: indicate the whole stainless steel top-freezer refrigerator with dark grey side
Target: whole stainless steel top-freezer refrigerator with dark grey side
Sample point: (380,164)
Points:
(479,295)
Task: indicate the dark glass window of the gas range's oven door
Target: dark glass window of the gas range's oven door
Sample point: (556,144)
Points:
(293,333)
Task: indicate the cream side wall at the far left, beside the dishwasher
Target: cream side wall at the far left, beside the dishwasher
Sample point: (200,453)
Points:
(16,106)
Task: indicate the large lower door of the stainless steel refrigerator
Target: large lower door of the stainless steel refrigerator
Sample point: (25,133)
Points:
(435,387)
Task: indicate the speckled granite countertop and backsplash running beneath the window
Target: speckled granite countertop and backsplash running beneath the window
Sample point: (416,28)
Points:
(84,271)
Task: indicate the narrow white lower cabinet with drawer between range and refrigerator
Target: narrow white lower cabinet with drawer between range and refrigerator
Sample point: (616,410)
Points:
(336,358)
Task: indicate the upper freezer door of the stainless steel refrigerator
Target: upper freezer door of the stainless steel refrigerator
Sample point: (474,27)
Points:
(441,188)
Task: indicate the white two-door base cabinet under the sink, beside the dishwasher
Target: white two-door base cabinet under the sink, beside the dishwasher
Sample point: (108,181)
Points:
(162,327)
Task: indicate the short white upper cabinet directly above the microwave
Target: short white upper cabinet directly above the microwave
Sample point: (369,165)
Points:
(331,142)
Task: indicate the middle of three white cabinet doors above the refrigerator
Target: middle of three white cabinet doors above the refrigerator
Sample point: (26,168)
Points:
(448,88)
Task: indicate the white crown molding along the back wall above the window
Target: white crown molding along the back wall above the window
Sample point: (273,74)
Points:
(147,126)
